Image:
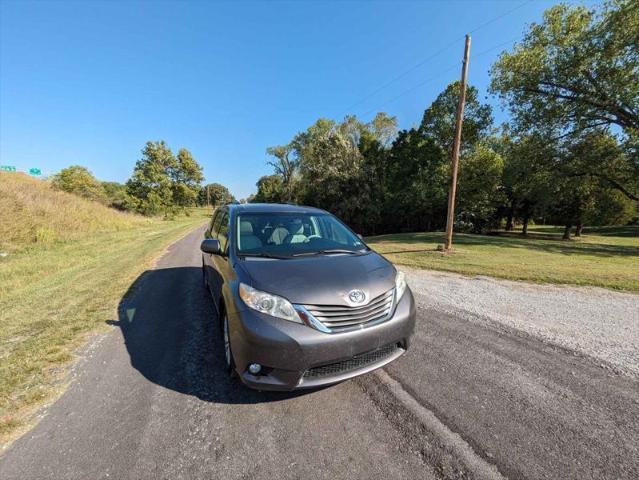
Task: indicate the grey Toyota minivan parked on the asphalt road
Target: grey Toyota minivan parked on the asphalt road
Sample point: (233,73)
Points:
(302,301)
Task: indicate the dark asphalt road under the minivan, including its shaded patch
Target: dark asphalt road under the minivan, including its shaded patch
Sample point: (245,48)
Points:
(150,400)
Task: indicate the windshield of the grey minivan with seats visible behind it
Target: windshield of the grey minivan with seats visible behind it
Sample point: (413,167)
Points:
(294,234)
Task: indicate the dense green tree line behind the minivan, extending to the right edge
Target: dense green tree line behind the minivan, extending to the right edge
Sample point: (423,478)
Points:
(569,154)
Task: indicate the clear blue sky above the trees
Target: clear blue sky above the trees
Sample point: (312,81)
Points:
(90,82)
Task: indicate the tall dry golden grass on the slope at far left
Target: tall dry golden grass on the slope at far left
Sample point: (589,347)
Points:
(32,212)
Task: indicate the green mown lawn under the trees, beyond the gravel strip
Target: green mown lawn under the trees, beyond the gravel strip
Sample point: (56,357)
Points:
(605,257)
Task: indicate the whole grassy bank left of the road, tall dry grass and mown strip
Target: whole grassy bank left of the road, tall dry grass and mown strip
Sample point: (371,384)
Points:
(68,263)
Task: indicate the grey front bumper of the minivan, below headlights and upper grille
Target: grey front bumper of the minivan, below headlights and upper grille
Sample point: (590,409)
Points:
(296,356)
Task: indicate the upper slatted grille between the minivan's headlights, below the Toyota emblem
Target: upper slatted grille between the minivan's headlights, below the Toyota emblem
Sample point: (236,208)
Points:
(339,318)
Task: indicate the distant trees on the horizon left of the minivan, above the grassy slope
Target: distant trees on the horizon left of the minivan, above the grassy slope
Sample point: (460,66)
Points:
(162,183)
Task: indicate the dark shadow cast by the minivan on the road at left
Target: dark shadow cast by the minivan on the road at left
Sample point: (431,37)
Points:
(172,335)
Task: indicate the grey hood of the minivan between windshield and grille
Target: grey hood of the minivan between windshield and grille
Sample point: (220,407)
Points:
(322,280)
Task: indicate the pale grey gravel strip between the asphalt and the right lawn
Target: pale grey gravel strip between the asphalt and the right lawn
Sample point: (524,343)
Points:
(600,323)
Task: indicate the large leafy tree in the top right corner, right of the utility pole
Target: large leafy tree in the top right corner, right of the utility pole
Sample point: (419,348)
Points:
(577,72)
